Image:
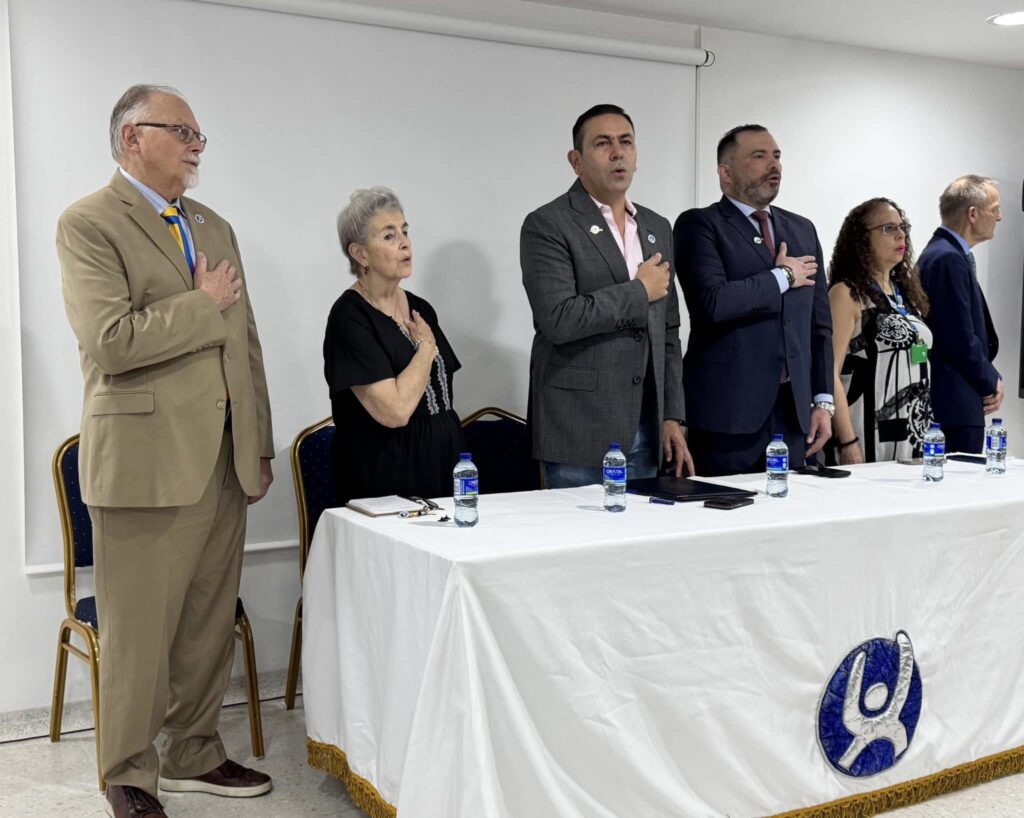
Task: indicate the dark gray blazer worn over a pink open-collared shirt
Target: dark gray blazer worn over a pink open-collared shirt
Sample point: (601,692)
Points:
(594,331)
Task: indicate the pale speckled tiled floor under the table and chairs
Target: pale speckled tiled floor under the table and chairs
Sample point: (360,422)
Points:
(38,779)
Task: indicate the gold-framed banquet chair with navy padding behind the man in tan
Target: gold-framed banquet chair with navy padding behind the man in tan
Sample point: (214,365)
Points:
(76,530)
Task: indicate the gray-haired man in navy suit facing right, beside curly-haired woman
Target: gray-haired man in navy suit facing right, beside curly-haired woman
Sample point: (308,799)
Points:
(966,386)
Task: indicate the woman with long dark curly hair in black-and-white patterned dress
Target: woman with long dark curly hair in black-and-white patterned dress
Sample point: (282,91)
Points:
(880,340)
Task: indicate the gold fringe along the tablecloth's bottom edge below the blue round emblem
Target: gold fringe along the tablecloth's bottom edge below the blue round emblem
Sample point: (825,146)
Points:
(966,776)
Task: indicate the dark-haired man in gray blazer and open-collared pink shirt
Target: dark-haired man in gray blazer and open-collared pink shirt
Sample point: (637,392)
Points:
(606,365)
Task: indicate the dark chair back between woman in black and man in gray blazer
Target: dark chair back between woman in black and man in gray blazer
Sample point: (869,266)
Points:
(500,446)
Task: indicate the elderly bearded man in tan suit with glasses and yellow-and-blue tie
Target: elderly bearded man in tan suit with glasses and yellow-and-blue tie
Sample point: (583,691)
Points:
(176,439)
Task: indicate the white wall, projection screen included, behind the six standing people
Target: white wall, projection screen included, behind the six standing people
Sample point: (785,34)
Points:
(343,106)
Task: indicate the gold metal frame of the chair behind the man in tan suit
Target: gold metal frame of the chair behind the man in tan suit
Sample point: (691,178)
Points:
(91,636)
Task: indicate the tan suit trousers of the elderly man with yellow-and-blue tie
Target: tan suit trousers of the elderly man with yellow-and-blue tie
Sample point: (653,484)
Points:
(167,581)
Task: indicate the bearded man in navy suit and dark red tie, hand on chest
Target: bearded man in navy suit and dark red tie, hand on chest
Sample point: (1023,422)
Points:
(759,360)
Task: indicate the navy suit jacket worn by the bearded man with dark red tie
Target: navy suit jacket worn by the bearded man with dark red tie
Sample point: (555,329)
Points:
(741,324)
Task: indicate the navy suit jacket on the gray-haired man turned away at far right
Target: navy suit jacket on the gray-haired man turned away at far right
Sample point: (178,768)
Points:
(964,338)
